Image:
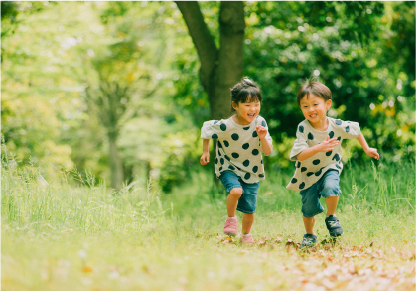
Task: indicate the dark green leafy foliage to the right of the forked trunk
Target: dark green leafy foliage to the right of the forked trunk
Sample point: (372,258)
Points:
(358,49)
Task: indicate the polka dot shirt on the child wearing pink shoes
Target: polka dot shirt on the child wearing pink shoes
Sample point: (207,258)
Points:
(238,147)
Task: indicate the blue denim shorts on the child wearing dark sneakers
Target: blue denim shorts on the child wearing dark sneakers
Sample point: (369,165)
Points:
(327,186)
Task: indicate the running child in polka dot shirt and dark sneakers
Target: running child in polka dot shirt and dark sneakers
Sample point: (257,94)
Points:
(318,155)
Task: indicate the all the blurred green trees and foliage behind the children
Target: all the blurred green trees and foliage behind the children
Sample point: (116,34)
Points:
(113,88)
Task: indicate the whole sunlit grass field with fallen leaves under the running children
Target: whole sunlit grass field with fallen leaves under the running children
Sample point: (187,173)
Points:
(65,237)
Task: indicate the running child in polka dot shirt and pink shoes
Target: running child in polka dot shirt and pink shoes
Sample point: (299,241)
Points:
(238,160)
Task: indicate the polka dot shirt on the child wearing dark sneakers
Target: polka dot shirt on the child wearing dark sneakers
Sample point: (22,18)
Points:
(309,171)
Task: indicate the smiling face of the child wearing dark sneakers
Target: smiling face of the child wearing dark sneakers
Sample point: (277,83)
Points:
(314,109)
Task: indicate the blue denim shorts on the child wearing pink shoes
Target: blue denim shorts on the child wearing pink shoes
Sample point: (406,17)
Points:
(247,201)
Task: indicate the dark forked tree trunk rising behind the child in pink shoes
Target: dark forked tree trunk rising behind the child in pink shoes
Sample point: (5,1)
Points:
(220,68)
